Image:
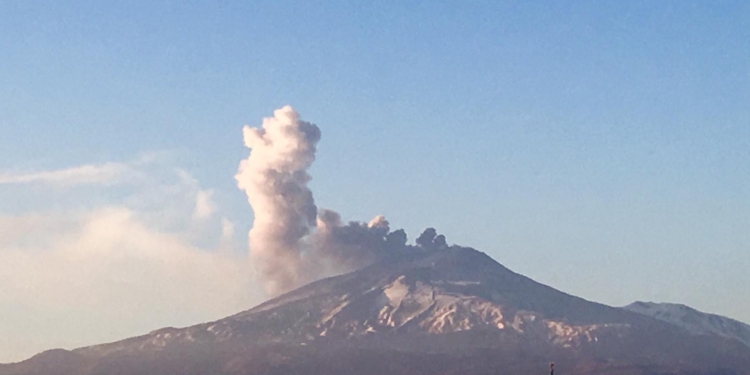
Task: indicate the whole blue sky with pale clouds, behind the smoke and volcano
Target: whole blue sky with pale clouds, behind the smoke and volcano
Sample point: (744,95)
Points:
(598,147)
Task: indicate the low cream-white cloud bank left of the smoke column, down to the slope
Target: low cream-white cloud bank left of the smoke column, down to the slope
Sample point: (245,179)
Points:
(114,270)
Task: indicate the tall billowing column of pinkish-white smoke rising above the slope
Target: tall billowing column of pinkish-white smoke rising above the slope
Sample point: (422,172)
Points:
(275,179)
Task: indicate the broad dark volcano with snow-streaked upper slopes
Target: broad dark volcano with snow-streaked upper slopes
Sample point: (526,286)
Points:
(451,310)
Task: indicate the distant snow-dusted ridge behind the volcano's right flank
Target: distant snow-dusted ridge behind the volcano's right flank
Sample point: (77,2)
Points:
(695,321)
